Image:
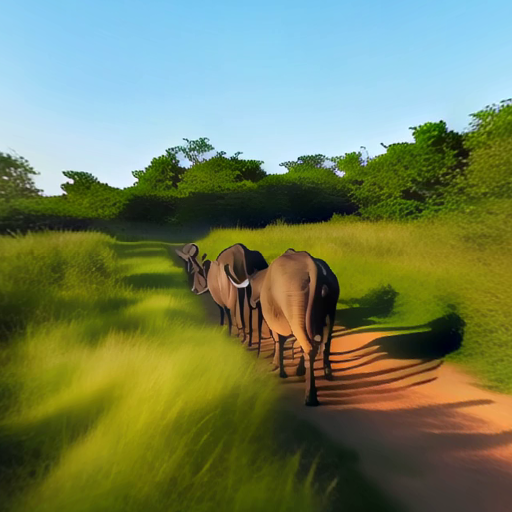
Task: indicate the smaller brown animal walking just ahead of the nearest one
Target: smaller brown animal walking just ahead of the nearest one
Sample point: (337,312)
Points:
(243,263)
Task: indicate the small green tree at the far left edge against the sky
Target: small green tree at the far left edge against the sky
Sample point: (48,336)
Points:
(16,180)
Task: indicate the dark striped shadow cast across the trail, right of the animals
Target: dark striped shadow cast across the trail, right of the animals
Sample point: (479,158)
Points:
(386,366)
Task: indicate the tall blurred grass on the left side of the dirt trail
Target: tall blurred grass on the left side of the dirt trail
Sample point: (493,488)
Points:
(116,395)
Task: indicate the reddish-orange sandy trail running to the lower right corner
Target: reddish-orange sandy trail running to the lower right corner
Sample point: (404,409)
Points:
(424,432)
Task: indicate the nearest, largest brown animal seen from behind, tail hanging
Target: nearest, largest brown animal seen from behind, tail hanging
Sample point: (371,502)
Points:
(298,296)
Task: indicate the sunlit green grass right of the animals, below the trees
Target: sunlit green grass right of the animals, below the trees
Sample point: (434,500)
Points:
(462,262)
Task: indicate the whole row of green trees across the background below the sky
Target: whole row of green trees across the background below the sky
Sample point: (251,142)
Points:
(441,170)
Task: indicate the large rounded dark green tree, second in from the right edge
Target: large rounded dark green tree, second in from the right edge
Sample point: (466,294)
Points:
(410,177)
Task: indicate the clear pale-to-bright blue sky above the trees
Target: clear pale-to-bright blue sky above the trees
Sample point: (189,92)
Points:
(104,86)
